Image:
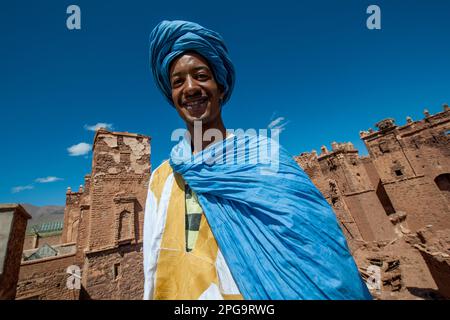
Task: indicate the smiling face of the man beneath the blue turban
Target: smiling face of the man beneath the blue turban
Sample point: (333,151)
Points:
(195,92)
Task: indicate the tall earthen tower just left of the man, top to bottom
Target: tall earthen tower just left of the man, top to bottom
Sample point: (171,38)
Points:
(112,228)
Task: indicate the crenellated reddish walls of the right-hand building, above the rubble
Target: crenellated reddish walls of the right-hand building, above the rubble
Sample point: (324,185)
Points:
(402,186)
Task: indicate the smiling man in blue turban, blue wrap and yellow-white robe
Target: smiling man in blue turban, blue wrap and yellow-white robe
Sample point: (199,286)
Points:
(235,229)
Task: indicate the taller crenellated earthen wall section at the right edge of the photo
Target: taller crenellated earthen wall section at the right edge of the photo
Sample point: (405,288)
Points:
(408,159)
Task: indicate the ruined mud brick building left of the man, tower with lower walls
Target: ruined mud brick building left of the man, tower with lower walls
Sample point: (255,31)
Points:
(102,233)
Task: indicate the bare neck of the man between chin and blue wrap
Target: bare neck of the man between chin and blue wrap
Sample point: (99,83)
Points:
(205,134)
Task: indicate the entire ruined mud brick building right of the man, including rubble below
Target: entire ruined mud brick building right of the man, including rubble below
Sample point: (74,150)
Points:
(387,200)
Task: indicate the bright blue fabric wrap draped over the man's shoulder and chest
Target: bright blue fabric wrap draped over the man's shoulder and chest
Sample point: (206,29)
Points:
(278,234)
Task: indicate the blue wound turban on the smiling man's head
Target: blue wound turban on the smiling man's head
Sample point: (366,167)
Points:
(169,39)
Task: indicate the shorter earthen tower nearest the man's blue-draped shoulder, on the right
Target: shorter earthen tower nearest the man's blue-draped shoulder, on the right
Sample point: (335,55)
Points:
(342,178)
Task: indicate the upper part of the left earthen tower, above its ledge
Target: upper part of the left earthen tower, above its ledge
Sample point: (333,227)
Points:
(119,183)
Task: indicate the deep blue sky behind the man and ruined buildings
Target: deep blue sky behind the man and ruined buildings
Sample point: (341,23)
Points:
(313,63)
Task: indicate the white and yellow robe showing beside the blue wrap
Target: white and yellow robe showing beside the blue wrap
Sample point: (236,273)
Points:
(171,272)
